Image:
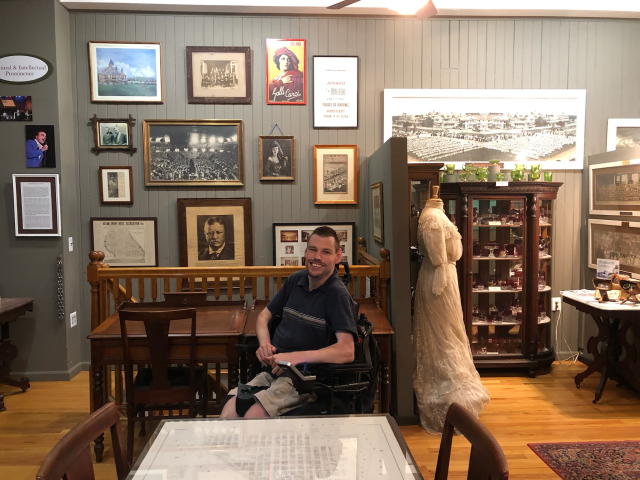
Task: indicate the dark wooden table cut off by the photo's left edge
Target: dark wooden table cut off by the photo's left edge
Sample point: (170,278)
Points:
(10,310)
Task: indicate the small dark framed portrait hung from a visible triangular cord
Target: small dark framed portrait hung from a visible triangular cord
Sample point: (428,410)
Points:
(277,157)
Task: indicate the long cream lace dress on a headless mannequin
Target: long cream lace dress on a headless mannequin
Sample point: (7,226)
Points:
(443,372)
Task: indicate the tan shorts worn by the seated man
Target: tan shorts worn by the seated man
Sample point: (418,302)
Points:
(281,396)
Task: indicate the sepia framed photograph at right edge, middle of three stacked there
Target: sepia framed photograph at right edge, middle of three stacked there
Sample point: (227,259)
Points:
(614,188)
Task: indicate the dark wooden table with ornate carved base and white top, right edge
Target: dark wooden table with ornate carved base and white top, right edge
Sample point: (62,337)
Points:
(611,336)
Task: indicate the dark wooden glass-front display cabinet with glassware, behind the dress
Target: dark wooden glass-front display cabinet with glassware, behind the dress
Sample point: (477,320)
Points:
(506,270)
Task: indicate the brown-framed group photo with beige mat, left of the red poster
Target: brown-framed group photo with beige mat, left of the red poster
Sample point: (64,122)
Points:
(219,75)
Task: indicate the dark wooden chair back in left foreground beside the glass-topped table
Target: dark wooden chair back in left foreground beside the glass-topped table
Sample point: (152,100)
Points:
(71,457)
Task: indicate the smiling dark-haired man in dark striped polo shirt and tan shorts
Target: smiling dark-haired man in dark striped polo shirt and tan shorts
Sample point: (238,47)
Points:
(317,326)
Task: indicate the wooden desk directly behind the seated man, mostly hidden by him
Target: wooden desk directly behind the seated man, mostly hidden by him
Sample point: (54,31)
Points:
(382,332)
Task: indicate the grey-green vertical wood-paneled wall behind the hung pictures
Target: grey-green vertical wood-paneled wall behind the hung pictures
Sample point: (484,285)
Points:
(601,56)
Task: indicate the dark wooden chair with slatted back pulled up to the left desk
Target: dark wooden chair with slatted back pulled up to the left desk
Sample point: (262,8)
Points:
(160,387)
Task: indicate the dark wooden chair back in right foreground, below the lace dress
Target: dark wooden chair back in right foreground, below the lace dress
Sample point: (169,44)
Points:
(487,460)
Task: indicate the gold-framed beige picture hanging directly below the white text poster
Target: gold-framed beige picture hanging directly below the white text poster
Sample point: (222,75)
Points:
(335,172)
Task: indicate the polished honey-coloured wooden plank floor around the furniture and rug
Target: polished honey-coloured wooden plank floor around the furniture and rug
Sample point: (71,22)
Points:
(522,410)
